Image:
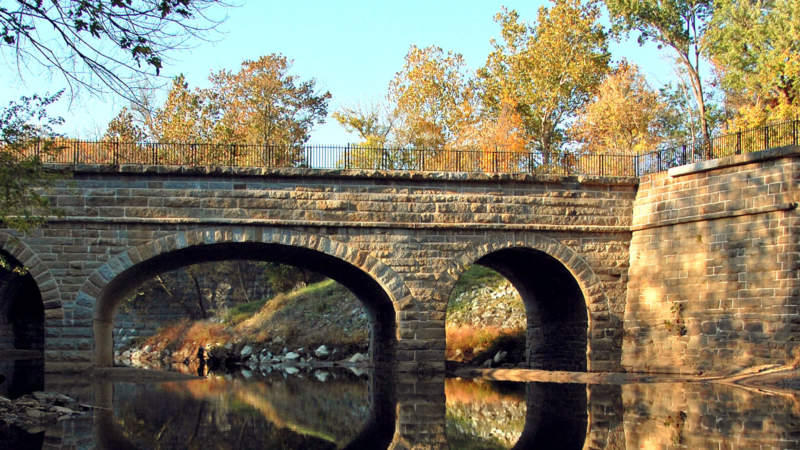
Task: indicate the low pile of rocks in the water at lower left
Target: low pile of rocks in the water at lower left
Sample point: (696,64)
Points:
(33,411)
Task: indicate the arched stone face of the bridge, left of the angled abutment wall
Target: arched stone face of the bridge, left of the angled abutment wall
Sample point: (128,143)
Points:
(424,228)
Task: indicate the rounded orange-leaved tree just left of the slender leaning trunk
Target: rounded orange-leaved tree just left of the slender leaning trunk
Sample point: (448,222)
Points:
(624,118)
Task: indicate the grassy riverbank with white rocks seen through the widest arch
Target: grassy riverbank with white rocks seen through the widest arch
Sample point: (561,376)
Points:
(319,322)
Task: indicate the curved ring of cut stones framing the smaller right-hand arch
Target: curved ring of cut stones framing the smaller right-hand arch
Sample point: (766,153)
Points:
(603,329)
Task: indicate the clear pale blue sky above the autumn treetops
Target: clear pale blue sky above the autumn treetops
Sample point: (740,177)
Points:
(351,48)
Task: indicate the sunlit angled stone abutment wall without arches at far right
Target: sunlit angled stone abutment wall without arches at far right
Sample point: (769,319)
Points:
(713,282)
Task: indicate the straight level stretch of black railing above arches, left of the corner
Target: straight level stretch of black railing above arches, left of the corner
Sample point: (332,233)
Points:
(496,160)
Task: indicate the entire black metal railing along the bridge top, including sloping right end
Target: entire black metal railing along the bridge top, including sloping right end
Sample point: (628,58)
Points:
(495,160)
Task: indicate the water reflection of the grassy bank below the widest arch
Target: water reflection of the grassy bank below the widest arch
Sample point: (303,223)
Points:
(221,412)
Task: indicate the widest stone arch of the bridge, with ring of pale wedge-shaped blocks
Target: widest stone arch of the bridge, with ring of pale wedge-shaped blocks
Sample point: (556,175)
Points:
(104,282)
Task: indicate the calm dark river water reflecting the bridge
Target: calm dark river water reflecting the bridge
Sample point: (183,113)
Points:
(325,408)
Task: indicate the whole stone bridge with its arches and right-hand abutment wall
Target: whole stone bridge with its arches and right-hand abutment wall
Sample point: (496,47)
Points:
(687,271)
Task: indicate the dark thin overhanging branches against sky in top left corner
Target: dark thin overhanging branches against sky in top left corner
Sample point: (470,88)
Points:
(99,44)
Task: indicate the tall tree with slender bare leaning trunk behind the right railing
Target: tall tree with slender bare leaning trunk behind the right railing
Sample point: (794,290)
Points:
(678,25)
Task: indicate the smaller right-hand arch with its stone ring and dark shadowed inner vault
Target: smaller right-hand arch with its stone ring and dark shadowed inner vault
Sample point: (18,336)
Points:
(601,333)
